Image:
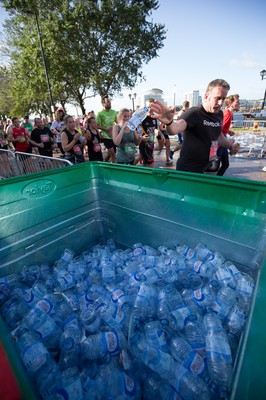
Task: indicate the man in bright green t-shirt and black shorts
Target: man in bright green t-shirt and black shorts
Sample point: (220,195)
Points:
(105,120)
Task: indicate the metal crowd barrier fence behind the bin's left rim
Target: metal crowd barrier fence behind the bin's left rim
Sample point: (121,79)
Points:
(16,163)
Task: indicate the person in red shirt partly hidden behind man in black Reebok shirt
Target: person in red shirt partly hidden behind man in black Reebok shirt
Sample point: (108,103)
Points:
(232,105)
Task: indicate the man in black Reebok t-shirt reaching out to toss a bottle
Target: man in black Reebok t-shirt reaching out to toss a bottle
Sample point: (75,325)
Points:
(202,127)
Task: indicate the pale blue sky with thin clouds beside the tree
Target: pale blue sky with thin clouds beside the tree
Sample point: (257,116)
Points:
(205,40)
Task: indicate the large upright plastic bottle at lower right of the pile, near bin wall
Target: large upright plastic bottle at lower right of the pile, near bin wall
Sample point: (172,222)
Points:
(218,352)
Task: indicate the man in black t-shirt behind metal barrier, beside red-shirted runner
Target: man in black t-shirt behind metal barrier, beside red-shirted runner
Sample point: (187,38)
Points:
(43,138)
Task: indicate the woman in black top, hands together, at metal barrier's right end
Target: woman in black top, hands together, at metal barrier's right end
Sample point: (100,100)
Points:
(72,141)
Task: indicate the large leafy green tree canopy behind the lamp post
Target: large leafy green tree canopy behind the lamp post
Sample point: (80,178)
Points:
(95,47)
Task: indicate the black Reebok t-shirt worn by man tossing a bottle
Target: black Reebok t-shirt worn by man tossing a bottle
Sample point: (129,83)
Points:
(203,130)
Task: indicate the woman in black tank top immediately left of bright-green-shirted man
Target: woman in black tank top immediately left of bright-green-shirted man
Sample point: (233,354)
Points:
(93,140)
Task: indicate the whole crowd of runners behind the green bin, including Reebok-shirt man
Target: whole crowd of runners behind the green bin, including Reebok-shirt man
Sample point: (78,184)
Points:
(201,132)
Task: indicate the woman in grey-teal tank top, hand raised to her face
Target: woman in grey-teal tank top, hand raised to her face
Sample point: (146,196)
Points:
(125,139)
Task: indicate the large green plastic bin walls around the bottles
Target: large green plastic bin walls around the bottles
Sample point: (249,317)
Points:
(82,205)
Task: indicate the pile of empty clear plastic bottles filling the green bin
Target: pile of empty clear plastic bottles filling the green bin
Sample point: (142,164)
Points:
(140,323)
